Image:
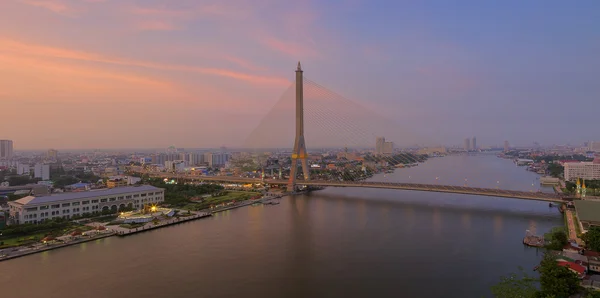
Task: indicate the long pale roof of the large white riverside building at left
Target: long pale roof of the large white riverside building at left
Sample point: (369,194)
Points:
(30,200)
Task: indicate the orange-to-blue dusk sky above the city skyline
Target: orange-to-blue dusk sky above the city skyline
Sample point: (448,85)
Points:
(83,74)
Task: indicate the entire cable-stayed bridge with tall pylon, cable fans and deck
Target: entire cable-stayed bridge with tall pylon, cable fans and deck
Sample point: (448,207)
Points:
(330,120)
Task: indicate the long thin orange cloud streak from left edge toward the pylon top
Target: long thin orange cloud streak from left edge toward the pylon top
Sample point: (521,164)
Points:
(44,51)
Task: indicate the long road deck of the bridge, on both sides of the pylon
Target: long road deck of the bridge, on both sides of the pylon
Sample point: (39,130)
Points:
(490,192)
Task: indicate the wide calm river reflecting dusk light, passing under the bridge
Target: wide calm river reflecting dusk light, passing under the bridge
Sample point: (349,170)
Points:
(332,243)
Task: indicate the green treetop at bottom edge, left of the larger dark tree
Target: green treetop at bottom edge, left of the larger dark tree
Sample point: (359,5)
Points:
(516,286)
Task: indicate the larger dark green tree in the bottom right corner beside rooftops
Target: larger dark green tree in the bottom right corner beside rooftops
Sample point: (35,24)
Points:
(557,281)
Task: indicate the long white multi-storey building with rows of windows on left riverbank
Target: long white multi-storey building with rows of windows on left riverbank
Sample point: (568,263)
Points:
(33,209)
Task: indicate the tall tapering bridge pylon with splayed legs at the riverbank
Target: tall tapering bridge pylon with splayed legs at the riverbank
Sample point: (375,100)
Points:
(299,154)
